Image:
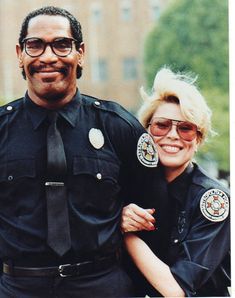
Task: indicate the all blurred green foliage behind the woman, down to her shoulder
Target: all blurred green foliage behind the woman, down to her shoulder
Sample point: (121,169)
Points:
(193,36)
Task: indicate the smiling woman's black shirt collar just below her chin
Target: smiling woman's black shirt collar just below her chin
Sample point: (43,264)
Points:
(178,188)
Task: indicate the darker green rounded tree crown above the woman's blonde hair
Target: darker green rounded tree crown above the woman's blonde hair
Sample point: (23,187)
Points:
(192,35)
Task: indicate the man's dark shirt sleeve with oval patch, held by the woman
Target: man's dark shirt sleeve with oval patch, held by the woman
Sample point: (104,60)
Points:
(139,161)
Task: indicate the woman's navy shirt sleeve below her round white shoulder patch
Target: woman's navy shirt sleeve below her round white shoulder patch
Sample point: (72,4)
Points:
(201,252)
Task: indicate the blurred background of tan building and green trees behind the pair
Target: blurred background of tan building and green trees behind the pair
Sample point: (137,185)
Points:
(127,41)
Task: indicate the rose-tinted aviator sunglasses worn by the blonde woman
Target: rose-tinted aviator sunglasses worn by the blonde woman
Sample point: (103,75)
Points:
(161,126)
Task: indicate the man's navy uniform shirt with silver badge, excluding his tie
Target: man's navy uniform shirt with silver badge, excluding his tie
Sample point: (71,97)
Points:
(110,160)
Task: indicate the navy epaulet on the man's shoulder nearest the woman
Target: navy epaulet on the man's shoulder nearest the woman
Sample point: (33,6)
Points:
(111,107)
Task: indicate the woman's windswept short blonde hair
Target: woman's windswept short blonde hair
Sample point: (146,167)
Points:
(177,88)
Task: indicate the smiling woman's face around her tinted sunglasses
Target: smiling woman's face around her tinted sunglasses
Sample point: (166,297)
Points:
(175,153)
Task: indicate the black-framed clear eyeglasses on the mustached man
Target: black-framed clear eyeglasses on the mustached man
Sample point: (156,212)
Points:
(35,47)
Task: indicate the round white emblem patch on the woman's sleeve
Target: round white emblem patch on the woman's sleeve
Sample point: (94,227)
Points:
(214,205)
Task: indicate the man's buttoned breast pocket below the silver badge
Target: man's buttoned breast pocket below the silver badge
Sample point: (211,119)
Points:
(96,182)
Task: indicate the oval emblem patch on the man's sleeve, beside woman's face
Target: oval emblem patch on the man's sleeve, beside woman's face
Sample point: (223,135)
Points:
(146,151)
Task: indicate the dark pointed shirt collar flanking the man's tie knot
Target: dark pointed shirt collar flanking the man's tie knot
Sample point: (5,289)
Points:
(38,114)
